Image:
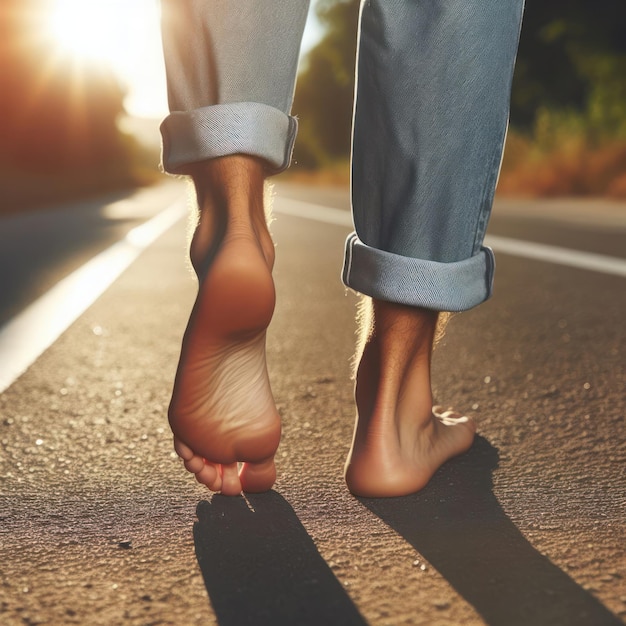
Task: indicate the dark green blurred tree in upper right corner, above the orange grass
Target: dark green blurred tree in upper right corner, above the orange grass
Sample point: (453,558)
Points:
(572,56)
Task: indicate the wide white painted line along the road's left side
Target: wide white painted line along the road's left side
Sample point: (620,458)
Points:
(25,337)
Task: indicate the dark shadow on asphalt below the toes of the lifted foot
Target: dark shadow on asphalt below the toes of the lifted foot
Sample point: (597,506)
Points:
(261,567)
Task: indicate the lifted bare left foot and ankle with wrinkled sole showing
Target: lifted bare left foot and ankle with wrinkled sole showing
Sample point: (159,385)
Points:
(225,424)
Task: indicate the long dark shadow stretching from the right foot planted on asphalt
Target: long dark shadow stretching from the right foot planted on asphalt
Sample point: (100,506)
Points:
(458,525)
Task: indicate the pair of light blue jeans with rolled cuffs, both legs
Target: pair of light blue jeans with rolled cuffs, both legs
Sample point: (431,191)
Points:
(431,112)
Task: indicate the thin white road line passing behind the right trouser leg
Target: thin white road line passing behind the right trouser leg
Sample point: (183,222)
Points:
(504,245)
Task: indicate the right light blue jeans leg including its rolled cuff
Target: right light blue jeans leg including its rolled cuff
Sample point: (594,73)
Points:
(433,88)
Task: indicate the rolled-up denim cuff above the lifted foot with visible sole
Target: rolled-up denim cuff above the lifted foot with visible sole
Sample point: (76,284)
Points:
(222,129)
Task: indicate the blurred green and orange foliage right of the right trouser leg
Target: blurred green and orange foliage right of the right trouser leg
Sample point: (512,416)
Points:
(568,109)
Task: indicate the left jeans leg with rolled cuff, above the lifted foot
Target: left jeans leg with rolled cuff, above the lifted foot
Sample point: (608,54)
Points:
(231,71)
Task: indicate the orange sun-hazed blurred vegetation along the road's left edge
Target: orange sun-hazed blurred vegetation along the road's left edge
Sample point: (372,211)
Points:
(58,120)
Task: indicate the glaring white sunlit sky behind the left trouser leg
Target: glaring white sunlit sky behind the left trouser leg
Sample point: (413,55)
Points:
(127,38)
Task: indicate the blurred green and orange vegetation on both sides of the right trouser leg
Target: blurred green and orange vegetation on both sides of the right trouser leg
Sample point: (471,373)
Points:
(568,106)
